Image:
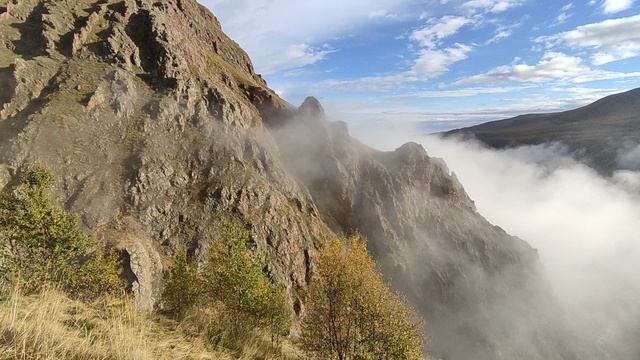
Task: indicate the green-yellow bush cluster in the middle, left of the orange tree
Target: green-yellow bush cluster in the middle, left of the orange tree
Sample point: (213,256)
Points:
(231,284)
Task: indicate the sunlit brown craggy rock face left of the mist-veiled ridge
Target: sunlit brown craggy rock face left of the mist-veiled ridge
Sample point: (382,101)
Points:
(143,111)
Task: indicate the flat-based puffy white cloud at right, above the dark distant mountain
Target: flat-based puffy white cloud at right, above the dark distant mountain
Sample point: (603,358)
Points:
(552,66)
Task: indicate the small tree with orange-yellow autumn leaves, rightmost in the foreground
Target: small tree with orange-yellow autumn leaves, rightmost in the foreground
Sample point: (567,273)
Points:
(352,314)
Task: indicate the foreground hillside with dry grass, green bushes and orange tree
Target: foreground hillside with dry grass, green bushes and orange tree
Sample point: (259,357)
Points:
(226,308)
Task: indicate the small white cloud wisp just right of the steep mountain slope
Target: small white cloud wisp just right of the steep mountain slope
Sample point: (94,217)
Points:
(294,57)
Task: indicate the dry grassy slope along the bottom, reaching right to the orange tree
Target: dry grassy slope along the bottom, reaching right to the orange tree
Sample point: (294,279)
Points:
(50,326)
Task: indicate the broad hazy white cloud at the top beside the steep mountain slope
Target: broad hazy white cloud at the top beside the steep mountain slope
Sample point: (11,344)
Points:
(267,29)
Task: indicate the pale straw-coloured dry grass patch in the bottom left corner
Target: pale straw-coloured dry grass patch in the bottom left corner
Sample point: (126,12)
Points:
(50,326)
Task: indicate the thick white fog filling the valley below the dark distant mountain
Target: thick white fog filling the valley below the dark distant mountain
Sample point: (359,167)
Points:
(585,226)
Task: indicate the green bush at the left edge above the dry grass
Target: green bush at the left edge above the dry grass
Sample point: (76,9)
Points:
(41,244)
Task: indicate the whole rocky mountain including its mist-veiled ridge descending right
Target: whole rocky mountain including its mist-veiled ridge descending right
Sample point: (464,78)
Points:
(157,128)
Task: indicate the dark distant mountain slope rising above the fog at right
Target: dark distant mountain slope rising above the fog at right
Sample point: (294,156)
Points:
(597,133)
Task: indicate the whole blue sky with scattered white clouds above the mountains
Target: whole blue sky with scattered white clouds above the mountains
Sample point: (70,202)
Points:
(447,63)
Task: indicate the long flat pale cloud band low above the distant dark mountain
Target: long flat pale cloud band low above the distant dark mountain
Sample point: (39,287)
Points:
(444,110)
